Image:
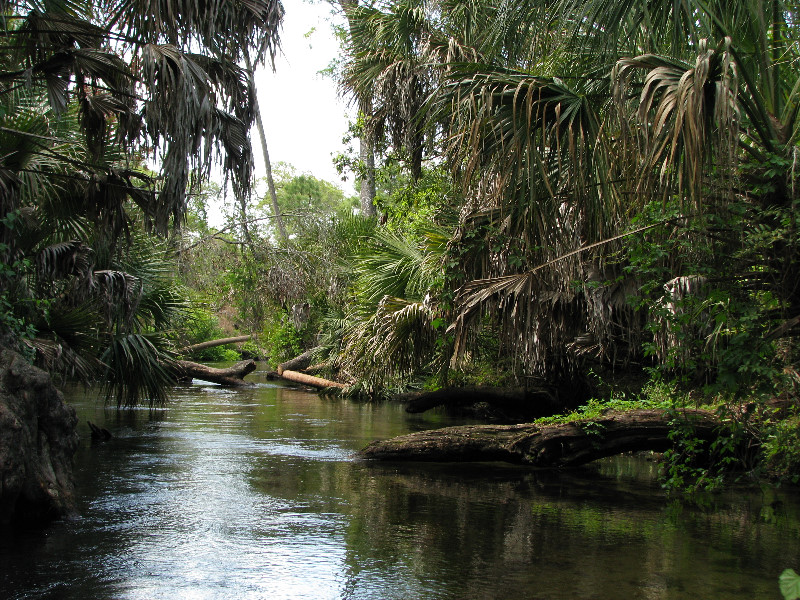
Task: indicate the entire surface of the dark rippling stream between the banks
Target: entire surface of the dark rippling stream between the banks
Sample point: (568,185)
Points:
(253,494)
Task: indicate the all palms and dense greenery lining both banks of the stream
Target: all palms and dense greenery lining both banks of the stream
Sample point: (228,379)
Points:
(570,193)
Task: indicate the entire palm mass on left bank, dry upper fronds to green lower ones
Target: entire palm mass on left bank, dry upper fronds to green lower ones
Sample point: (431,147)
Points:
(89,93)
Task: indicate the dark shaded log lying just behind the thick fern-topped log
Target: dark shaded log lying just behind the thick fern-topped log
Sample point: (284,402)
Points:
(531,403)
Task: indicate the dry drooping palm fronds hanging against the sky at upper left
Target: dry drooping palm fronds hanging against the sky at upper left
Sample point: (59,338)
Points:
(123,64)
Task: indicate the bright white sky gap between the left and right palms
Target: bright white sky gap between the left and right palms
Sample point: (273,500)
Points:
(304,117)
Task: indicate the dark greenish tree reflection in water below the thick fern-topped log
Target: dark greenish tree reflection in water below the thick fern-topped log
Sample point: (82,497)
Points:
(495,532)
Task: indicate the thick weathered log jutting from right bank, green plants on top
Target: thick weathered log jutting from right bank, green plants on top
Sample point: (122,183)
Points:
(545,446)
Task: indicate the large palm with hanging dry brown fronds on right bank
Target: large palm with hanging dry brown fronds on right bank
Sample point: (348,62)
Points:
(689,103)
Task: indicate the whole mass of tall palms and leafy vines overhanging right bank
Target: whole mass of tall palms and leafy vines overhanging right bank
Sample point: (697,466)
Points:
(586,134)
